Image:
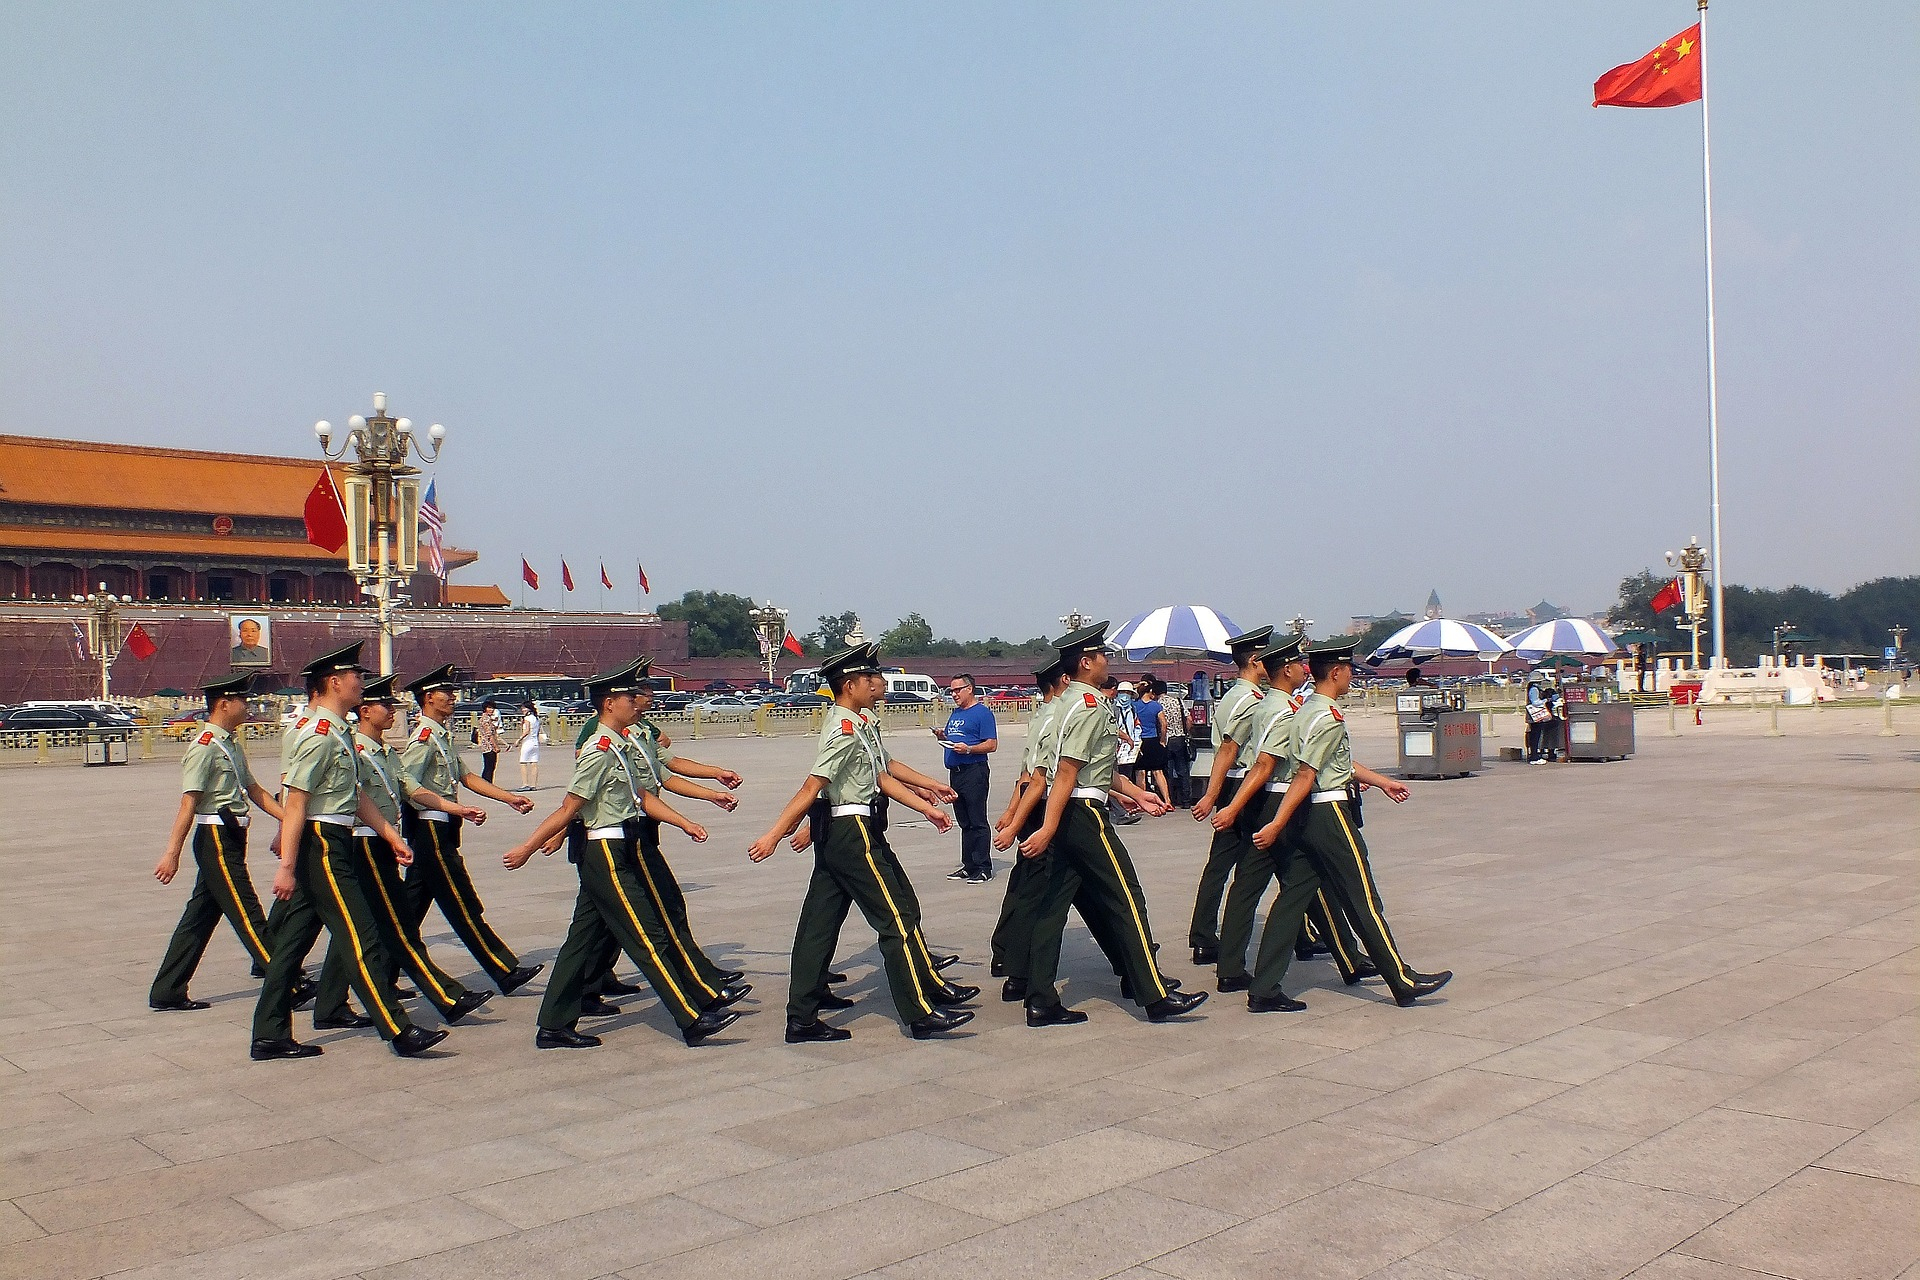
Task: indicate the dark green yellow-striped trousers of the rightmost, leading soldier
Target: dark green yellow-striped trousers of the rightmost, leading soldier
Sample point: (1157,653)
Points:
(1322,849)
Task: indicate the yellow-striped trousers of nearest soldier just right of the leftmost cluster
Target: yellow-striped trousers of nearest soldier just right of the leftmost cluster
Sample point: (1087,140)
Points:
(615,907)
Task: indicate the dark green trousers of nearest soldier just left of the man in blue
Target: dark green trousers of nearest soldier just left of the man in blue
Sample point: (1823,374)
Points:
(853,866)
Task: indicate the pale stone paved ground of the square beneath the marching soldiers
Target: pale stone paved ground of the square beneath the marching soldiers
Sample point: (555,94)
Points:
(1683,1045)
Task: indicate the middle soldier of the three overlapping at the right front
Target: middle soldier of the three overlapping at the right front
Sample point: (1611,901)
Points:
(1259,797)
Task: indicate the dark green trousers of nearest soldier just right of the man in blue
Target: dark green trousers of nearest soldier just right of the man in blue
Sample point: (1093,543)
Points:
(1088,855)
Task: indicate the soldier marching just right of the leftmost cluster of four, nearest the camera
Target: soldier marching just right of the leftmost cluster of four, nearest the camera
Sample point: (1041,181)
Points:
(602,815)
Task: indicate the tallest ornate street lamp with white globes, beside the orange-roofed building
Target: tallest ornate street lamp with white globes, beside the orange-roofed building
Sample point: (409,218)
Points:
(383,500)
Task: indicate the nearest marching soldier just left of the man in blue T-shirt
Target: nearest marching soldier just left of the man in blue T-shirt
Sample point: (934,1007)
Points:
(844,801)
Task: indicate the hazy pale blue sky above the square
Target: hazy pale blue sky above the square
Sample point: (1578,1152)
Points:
(999,310)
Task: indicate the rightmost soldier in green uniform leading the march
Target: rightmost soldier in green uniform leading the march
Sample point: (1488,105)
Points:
(1318,828)
